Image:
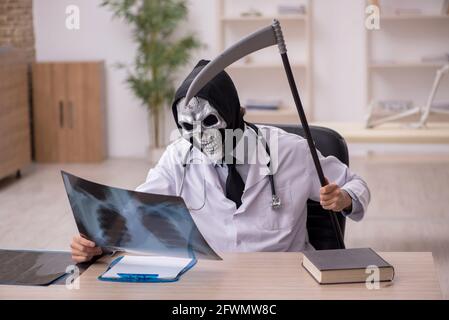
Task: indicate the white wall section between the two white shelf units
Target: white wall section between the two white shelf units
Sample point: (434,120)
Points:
(339,60)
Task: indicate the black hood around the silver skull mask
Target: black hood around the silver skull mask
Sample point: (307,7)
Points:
(220,92)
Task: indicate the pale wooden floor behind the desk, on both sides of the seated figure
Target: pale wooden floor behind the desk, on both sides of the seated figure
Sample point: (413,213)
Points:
(408,212)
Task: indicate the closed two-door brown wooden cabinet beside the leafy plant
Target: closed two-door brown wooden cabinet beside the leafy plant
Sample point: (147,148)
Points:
(68,105)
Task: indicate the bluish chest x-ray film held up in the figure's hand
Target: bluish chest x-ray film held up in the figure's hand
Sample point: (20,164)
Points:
(132,221)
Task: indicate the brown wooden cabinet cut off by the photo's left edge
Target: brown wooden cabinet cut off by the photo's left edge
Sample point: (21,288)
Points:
(15,144)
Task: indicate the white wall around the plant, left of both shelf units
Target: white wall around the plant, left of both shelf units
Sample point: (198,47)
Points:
(102,38)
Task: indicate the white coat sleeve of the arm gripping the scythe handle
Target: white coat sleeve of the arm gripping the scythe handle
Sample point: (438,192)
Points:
(336,171)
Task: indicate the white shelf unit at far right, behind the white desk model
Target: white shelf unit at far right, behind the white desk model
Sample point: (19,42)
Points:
(394,69)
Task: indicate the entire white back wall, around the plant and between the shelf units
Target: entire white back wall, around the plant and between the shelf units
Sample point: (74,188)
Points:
(339,59)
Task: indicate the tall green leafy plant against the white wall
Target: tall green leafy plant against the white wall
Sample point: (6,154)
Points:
(160,53)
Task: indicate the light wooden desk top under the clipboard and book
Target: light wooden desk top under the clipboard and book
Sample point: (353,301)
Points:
(249,276)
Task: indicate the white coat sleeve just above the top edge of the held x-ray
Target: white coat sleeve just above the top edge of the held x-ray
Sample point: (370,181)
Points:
(160,179)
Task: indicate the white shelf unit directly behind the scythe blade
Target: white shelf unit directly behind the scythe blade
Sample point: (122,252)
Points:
(263,77)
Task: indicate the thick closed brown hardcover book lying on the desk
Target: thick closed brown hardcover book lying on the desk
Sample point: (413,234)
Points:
(346,265)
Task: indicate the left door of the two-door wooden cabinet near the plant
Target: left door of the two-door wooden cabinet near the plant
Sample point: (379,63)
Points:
(47,110)
